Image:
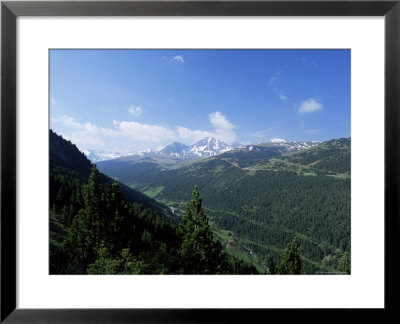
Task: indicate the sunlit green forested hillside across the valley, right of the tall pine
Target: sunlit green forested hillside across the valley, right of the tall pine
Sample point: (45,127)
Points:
(258,201)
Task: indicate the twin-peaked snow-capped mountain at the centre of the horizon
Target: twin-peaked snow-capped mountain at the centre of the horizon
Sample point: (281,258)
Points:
(204,148)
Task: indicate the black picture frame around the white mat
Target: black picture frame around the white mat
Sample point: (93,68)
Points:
(10,10)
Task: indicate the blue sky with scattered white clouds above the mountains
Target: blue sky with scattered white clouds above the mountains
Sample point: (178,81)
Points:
(135,100)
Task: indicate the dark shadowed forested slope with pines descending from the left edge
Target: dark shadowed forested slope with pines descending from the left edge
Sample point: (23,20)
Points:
(99,226)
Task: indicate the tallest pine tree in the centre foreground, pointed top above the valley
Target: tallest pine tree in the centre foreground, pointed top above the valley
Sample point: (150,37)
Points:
(201,252)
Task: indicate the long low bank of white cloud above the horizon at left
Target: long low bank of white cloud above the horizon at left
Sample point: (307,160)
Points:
(132,136)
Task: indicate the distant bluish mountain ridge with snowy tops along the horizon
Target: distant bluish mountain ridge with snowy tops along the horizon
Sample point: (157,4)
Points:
(128,169)
